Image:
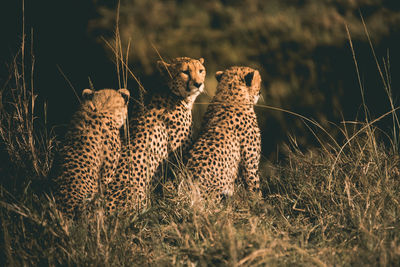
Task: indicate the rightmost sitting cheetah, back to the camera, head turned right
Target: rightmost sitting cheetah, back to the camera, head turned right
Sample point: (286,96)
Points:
(230,140)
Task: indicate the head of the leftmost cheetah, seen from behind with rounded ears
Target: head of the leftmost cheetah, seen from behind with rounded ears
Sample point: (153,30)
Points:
(110,101)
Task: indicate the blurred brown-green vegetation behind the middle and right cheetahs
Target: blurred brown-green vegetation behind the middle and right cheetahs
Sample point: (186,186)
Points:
(300,47)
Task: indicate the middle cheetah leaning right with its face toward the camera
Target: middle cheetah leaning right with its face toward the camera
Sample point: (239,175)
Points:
(163,128)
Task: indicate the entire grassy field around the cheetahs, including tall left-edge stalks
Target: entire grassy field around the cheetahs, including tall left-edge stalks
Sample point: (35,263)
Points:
(338,204)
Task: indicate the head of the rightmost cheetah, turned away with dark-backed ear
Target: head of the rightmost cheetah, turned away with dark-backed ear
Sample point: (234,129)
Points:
(240,82)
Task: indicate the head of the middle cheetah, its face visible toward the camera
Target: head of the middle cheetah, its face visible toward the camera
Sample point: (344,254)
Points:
(185,76)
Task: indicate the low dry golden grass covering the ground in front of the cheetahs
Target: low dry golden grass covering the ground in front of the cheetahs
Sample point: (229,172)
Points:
(304,219)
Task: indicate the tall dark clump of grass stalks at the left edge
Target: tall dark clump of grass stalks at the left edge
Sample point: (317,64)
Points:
(26,142)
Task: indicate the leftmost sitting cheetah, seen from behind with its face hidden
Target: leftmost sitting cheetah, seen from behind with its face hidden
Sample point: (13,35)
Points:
(91,150)
